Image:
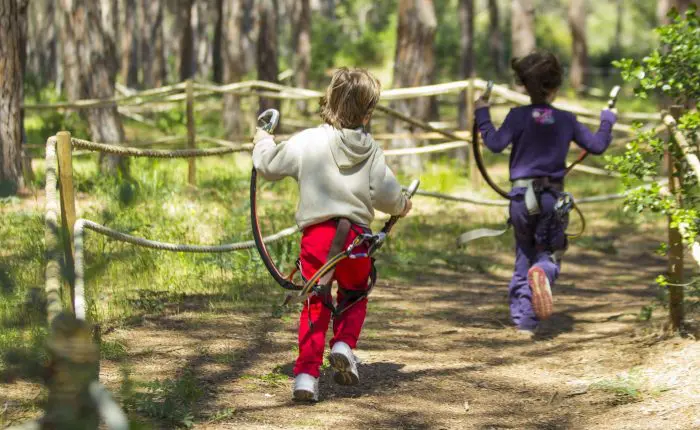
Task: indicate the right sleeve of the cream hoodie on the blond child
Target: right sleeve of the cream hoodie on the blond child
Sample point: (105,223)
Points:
(385,191)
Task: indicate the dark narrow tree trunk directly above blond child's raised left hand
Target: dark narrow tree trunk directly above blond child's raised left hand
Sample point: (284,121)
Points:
(267,48)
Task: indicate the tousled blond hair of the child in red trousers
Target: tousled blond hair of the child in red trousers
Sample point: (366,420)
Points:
(351,96)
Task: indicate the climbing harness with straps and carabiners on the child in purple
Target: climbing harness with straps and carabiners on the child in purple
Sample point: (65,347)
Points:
(534,187)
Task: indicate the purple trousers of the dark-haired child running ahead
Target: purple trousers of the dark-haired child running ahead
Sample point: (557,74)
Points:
(536,239)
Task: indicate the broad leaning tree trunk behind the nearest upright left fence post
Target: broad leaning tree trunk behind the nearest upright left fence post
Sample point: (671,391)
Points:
(92,63)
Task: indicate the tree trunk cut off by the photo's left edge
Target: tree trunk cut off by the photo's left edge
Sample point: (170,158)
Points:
(11,96)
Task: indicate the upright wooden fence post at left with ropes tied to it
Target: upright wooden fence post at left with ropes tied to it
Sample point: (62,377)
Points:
(65,174)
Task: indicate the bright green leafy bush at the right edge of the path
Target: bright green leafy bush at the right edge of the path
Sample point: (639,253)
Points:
(673,71)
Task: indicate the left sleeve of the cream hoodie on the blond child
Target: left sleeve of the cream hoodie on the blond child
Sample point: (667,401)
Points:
(275,162)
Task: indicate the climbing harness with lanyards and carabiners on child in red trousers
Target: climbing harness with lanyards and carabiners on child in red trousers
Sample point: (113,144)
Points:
(364,246)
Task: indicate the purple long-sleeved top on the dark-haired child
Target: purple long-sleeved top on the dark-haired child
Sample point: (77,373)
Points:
(541,135)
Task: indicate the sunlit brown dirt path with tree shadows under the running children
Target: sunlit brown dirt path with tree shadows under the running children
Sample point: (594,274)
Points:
(440,354)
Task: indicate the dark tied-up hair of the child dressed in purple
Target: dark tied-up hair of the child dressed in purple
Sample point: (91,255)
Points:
(540,72)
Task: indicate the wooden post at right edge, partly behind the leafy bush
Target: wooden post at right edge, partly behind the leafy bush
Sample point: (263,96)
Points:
(675,241)
